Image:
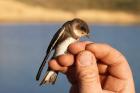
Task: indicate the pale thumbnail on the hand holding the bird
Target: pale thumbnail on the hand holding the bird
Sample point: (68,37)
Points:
(85,58)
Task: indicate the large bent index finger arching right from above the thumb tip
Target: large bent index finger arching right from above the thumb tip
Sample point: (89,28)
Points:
(118,66)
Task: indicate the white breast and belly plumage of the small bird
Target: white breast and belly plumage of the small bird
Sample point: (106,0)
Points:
(62,46)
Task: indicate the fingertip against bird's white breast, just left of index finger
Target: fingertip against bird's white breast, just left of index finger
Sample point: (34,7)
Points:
(77,47)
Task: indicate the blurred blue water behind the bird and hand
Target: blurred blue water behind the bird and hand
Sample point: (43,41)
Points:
(23,46)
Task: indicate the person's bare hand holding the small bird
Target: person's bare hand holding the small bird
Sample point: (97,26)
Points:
(95,68)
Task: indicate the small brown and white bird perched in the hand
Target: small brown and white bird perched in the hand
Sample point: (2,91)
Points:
(70,32)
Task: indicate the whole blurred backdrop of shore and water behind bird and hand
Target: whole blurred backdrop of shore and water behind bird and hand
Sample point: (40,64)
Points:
(27,26)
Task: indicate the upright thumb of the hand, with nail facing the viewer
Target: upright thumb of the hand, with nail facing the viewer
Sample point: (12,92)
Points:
(87,73)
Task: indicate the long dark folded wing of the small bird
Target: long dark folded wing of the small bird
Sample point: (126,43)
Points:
(51,46)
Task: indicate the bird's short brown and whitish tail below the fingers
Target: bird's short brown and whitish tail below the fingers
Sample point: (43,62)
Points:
(49,78)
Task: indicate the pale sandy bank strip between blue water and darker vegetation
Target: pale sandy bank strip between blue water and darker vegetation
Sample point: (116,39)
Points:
(14,11)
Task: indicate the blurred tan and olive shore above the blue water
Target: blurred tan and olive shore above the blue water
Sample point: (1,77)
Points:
(94,11)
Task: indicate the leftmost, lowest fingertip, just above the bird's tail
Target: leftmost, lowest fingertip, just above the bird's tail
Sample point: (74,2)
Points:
(53,64)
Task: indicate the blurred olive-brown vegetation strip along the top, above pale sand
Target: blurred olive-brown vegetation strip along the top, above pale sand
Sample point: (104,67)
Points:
(74,5)
